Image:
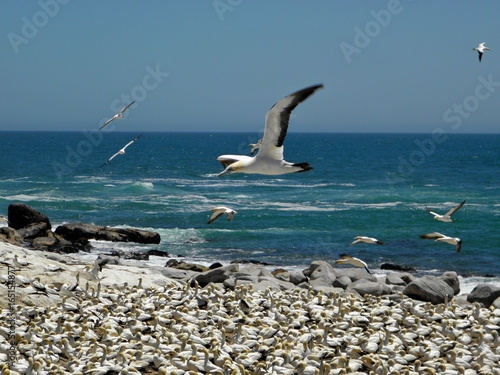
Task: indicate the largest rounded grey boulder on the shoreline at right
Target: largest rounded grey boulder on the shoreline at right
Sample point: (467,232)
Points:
(429,289)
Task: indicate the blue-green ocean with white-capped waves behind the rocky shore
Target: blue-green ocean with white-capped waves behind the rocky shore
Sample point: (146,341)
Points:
(375,185)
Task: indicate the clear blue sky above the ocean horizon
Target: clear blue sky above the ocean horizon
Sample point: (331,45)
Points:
(387,66)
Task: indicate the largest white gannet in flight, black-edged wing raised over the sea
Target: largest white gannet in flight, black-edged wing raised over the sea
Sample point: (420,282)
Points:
(269,159)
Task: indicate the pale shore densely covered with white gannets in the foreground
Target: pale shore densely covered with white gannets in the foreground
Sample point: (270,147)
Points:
(147,320)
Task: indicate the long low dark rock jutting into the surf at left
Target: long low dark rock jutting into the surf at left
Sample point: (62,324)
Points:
(79,231)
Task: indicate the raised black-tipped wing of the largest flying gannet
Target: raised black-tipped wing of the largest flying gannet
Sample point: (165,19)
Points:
(277,119)
